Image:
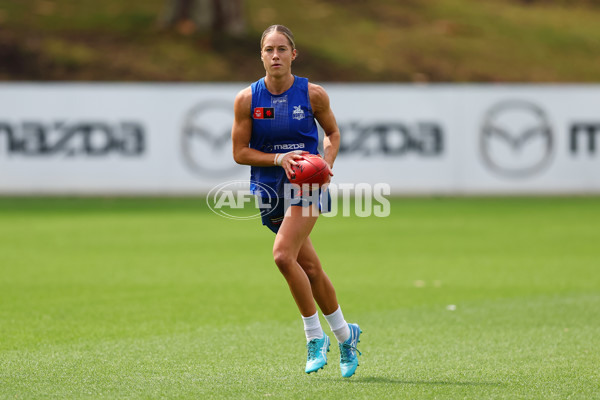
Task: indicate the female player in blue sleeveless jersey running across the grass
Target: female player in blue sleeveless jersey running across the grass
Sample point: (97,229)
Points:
(274,123)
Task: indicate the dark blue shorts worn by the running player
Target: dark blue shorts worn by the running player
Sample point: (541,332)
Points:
(272,210)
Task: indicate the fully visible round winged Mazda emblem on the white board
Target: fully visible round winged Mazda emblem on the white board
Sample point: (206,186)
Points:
(516,139)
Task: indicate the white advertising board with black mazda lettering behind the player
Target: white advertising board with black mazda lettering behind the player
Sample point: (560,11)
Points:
(175,138)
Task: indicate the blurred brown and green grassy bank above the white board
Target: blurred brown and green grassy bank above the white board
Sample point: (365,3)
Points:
(338,40)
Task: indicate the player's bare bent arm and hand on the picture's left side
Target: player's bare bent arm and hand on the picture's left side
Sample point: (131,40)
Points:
(241,133)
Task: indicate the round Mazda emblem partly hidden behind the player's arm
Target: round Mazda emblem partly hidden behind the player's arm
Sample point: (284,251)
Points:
(206,139)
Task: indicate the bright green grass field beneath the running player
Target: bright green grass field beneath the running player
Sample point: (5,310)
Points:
(159,298)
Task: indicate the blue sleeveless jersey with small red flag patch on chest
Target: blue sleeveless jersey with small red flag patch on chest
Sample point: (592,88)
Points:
(280,123)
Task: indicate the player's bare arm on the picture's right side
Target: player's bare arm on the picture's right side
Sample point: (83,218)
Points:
(319,101)
